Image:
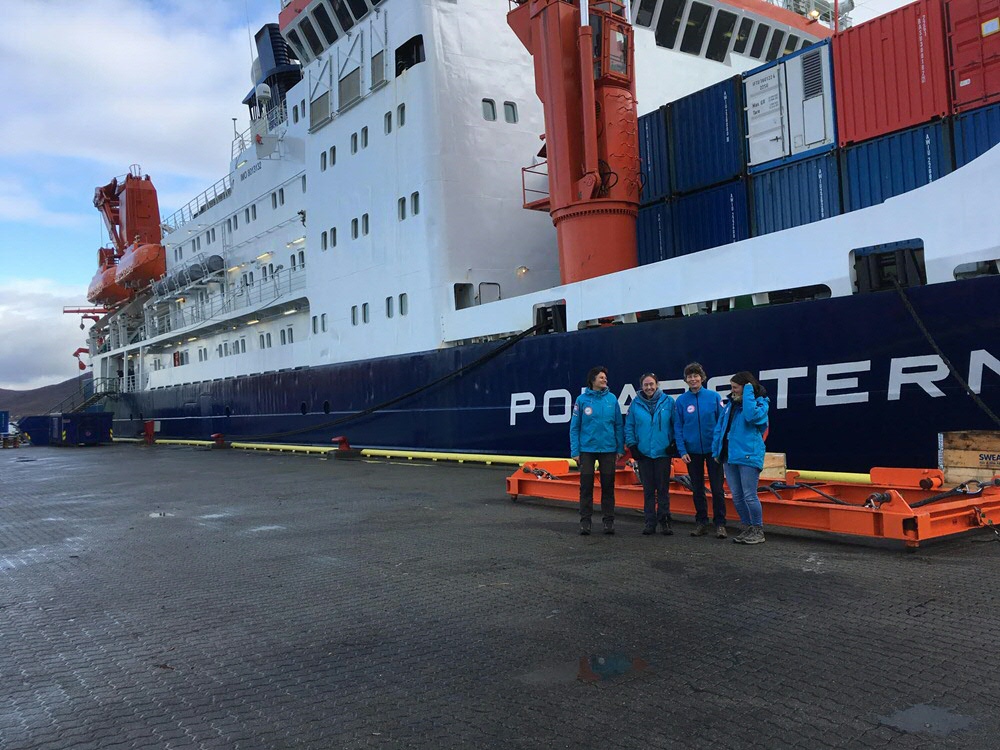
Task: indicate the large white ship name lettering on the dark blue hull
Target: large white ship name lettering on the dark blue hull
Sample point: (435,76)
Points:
(832,384)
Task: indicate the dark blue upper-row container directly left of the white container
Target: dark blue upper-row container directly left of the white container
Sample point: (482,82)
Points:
(707,137)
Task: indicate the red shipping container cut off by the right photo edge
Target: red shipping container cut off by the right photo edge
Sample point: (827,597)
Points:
(974,39)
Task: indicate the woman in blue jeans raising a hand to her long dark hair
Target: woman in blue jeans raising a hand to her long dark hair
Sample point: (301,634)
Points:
(738,445)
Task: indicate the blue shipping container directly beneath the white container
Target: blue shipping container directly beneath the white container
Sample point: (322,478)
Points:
(797,193)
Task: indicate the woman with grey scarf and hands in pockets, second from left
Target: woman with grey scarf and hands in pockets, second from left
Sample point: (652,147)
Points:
(649,435)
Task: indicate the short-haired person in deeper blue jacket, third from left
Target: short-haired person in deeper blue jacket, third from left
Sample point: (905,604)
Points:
(696,413)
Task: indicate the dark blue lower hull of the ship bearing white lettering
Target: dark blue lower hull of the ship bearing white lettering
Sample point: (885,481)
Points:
(854,382)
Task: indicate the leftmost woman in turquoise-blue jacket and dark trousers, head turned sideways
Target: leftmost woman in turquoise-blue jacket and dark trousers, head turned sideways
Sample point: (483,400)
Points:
(596,435)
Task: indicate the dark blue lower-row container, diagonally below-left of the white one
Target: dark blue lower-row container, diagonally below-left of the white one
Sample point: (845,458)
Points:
(718,216)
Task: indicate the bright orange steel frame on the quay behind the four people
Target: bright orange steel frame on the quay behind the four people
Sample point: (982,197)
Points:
(908,505)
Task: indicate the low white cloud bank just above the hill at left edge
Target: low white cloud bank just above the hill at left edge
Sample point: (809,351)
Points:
(37,343)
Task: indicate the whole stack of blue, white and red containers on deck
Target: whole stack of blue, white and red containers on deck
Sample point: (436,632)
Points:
(908,97)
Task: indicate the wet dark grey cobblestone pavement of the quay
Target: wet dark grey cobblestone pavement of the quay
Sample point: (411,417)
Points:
(180,598)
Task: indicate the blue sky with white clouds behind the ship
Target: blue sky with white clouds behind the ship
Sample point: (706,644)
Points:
(91,88)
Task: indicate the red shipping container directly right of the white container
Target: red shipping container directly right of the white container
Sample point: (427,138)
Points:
(892,72)
